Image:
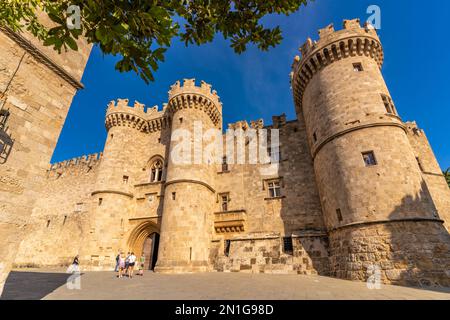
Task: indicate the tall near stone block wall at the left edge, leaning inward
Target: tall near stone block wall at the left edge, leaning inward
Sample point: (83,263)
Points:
(37,92)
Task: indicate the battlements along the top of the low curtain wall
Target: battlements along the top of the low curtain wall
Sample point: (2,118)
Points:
(75,165)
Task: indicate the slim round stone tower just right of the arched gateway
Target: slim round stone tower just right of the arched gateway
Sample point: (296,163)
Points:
(189,195)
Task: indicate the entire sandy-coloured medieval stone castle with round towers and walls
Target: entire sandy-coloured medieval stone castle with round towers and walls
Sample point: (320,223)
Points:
(356,191)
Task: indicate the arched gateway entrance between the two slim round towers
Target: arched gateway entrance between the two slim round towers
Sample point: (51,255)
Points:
(145,239)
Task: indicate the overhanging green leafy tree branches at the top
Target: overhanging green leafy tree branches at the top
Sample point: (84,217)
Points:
(140,31)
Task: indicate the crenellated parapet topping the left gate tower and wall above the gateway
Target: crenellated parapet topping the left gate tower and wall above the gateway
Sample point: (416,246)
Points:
(138,117)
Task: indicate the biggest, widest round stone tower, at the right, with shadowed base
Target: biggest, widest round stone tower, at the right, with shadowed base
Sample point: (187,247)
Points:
(376,206)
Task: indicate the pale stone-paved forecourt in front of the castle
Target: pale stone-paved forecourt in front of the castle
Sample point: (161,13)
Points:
(51,285)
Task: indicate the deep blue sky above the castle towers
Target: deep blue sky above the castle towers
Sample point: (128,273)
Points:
(255,84)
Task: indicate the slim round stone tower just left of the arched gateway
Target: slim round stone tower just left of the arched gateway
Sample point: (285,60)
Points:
(119,169)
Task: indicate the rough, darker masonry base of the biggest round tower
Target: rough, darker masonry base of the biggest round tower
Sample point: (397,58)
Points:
(415,253)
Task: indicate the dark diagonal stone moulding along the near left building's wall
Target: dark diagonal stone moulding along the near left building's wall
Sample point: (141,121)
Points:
(41,57)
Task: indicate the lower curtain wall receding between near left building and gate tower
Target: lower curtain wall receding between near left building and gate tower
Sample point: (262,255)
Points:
(61,222)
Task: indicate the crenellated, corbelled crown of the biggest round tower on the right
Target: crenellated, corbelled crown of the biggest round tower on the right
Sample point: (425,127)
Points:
(352,40)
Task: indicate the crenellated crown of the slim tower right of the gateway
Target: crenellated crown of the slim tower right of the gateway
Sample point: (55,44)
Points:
(189,95)
